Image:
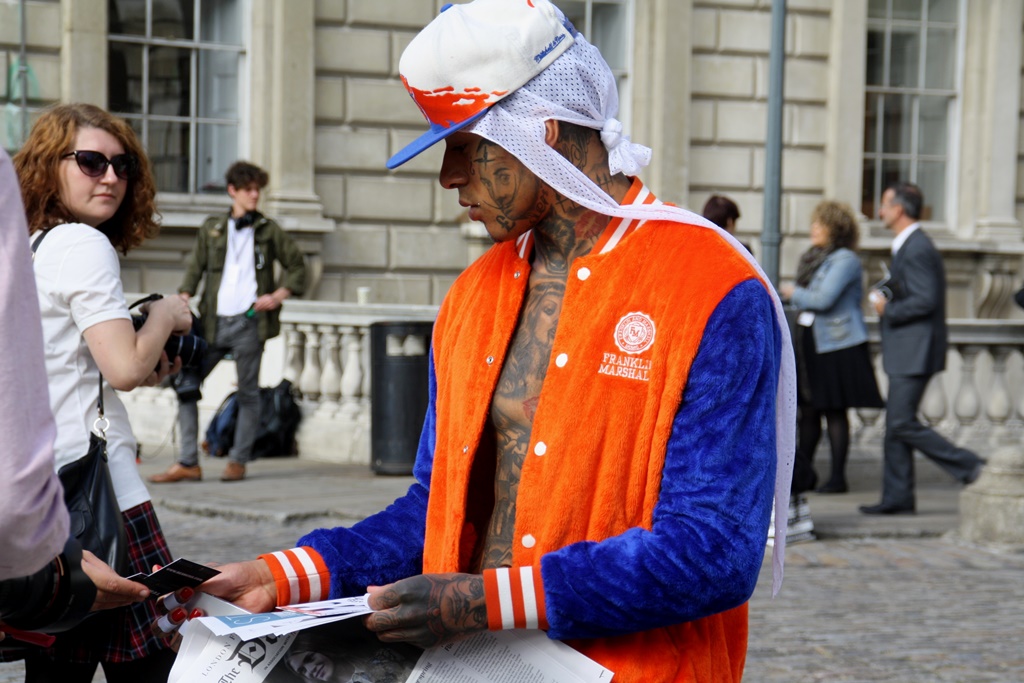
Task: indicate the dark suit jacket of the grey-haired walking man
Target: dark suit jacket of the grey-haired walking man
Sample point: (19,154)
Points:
(914,326)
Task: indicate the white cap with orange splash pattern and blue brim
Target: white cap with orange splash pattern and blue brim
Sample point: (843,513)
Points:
(474,56)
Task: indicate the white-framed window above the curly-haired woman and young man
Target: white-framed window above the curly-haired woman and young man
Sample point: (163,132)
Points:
(175,75)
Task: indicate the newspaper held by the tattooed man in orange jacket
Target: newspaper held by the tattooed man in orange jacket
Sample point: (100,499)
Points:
(327,643)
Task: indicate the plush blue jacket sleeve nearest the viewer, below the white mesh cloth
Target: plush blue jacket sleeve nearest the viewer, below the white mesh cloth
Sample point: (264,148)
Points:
(705,549)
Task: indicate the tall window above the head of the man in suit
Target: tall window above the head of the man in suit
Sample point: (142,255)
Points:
(913,81)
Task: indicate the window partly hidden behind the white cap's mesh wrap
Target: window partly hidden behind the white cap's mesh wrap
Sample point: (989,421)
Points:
(609,25)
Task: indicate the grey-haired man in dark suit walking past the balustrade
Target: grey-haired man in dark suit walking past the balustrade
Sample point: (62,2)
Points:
(914,349)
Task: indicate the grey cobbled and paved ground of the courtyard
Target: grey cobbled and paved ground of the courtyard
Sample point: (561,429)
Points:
(875,600)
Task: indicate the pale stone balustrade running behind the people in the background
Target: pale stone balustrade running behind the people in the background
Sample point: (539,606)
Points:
(324,351)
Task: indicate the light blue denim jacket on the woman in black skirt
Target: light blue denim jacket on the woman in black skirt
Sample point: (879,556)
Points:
(834,294)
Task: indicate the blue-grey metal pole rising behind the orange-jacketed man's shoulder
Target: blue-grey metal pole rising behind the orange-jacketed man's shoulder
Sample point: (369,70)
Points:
(772,236)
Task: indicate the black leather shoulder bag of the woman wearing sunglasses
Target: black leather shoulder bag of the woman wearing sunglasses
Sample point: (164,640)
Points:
(96,516)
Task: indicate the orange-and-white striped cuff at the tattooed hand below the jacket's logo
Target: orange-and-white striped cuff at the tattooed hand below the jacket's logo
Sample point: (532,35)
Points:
(516,599)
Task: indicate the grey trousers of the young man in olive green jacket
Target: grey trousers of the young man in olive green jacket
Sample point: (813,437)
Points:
(239,336)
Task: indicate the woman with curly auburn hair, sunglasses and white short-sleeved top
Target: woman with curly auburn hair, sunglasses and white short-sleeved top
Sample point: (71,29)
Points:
(89,193)
